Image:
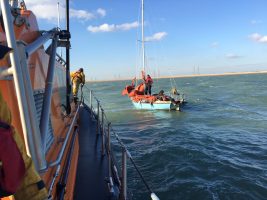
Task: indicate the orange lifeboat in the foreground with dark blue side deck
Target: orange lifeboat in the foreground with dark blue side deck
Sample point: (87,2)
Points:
(51,147)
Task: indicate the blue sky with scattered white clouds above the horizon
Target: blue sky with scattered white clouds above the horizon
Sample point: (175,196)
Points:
(182,37)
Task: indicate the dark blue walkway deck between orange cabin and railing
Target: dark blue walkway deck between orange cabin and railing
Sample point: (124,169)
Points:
(92,167)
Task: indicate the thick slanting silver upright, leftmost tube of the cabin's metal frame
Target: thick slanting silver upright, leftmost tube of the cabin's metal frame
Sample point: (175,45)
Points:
(20,73)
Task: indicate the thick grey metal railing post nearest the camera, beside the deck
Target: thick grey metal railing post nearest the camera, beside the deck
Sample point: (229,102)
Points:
(124,175)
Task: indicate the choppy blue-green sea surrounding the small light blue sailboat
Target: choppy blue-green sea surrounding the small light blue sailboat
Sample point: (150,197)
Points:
(214,148)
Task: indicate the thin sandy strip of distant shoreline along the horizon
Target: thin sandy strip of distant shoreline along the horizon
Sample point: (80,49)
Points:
(189,76)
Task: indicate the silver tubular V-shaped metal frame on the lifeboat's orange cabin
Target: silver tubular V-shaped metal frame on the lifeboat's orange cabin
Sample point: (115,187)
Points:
(34,134)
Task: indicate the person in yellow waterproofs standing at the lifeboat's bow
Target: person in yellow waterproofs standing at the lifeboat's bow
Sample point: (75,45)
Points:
(77,78)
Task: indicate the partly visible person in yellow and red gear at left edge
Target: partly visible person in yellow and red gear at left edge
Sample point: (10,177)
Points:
(18,175)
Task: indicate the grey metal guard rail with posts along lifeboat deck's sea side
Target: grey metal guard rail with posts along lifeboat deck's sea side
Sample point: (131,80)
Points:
(125,152)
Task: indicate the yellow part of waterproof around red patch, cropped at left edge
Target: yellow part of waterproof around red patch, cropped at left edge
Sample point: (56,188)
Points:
(30,187)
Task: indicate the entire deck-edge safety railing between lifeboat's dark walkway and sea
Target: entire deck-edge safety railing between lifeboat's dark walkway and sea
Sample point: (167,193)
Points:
(104,127)
